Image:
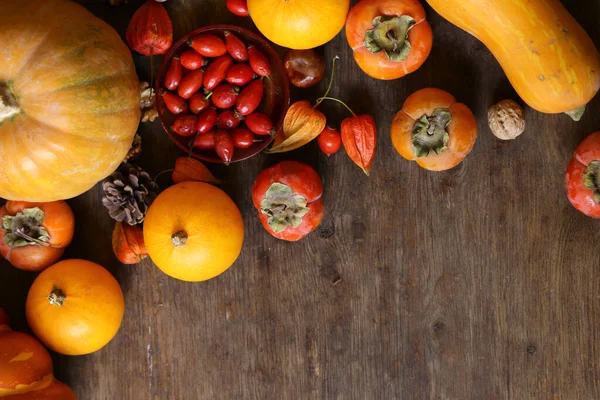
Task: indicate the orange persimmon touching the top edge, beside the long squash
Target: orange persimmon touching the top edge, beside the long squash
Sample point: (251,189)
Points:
(389,38)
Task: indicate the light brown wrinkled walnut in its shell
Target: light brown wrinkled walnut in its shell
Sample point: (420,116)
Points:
(506,119)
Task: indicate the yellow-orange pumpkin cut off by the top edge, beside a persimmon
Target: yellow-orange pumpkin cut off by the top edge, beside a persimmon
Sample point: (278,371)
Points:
(299,24)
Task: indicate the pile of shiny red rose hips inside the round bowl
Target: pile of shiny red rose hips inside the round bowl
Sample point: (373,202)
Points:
(215,86)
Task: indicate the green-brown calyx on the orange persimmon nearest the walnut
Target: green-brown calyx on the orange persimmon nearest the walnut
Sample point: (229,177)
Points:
(429,133)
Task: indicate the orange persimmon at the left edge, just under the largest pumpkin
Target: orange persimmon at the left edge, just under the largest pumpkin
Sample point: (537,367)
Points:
(34,235)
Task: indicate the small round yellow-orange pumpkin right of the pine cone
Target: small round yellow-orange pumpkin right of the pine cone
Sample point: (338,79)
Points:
(193,231)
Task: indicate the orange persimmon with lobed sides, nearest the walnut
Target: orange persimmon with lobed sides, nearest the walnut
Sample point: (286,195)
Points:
(434,130)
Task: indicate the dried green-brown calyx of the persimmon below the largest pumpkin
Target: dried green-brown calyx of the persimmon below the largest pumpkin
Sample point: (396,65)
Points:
(25,228)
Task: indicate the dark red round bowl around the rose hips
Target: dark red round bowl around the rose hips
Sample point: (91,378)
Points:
(276,98)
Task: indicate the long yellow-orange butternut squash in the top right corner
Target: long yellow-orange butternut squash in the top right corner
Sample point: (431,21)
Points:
(550,60)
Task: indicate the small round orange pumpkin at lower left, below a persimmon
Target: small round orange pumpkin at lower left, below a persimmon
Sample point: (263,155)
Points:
(75,307)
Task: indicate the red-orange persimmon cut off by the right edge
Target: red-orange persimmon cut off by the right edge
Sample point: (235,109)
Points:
(583,177)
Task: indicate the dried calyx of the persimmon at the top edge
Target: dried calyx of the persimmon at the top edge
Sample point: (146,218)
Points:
(390,34)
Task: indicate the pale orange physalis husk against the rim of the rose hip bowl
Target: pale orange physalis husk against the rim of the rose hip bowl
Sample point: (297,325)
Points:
(301,124)
